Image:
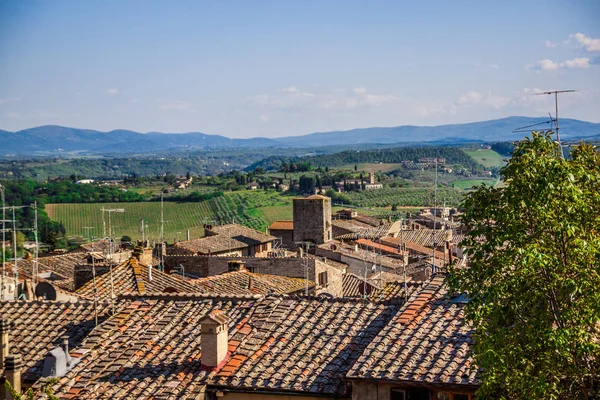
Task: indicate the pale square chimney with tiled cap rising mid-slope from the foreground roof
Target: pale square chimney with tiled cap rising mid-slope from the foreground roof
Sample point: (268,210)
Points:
(214,338)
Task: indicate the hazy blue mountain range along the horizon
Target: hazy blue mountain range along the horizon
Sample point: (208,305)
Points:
(59,140)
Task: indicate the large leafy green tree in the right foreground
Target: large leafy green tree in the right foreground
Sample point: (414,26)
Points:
(534,274)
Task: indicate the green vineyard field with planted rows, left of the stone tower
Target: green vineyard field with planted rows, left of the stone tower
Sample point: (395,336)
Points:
(244,207)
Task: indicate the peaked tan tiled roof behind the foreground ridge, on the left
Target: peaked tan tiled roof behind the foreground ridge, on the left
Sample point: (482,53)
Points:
(132,277)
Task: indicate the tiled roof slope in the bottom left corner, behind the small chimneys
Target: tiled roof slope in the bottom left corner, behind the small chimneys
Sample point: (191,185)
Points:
(37,327)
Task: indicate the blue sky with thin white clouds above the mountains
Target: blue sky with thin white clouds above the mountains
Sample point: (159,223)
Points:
(278,68)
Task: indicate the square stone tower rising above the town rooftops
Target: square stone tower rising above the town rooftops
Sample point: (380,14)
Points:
(312,219)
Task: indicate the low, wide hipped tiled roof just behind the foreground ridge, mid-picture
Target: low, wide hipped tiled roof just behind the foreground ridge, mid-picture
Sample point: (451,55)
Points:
(245,282)
